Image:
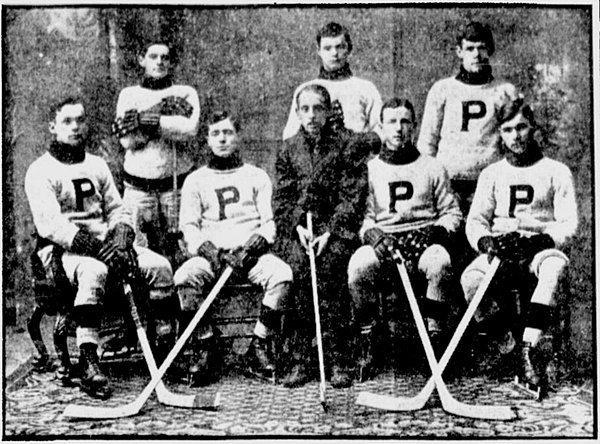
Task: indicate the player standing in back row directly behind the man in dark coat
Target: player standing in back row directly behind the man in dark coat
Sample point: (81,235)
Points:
(359,99)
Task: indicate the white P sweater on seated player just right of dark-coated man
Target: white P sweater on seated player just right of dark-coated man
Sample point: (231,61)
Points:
(403,195)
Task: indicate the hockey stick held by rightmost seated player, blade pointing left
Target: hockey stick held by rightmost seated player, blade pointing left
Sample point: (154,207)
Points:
(417,402)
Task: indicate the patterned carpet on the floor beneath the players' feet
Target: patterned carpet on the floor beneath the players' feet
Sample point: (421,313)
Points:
(34,403)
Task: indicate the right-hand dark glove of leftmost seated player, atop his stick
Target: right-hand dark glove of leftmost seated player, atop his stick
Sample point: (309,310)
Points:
(117,250)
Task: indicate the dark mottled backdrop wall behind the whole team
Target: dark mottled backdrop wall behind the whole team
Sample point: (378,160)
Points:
(252,58)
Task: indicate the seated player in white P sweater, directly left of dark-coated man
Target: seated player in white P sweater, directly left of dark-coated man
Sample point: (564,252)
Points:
(226,218)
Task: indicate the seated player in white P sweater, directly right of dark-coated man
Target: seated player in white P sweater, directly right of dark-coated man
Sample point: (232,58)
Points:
(410,207)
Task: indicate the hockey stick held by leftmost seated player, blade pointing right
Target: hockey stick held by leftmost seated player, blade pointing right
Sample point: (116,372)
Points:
(164,395)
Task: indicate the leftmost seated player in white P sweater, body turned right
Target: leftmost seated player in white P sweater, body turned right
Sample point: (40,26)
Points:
(83,226)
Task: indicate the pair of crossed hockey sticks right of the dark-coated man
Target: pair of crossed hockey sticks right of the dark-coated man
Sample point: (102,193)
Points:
(449,403)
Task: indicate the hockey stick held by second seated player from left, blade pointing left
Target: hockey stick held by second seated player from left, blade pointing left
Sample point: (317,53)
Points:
(134,407)
